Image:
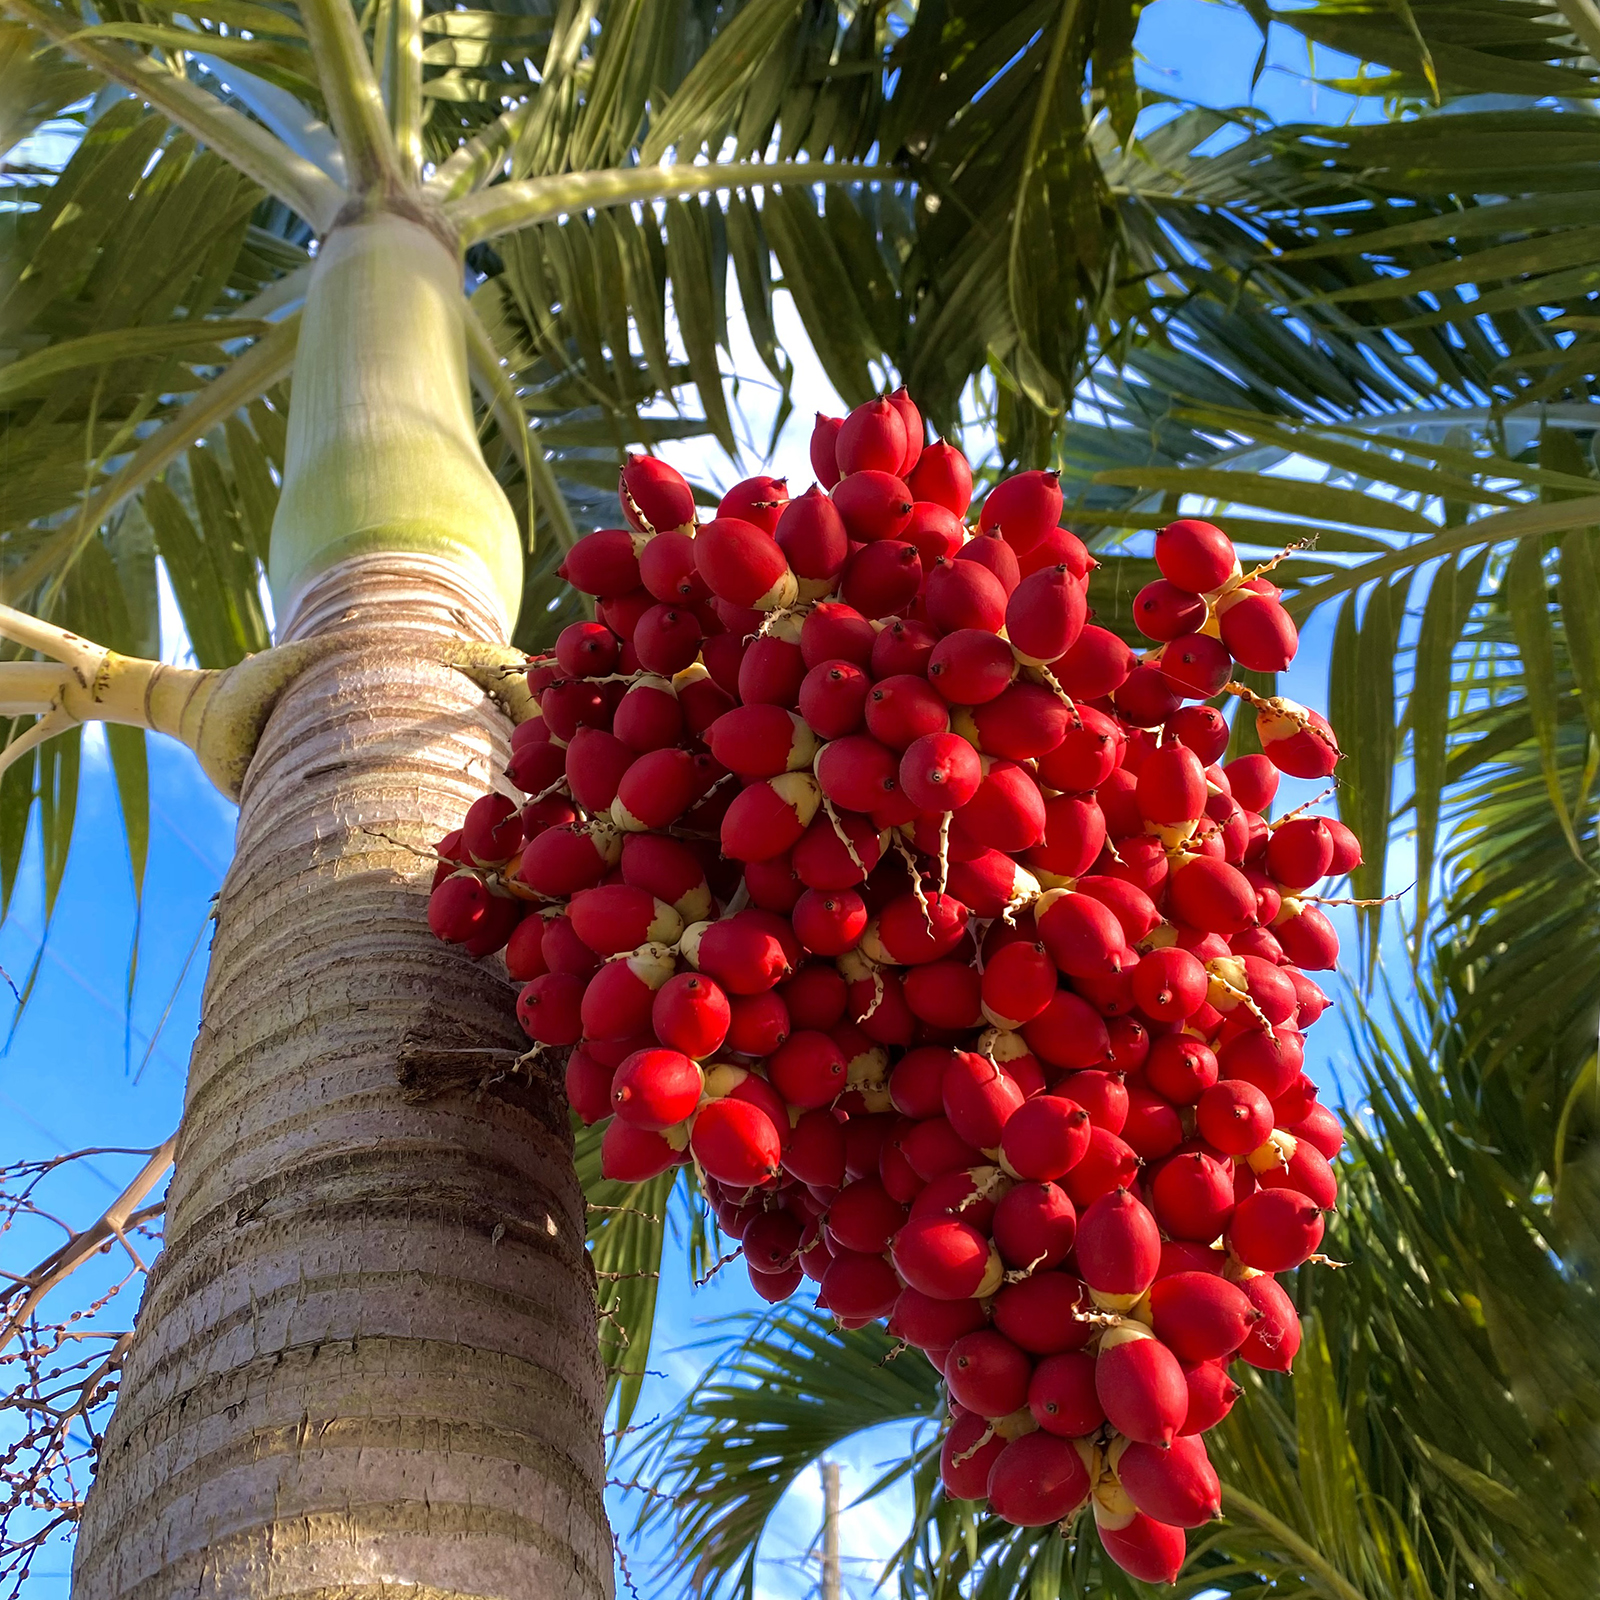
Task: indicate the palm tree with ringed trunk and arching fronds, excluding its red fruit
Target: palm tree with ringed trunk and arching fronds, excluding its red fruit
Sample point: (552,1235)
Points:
(367,1354)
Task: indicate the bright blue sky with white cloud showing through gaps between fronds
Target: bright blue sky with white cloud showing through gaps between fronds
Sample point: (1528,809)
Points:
(84,1070)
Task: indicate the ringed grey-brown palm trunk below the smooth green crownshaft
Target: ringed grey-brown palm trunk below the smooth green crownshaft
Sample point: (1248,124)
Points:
(367,1358)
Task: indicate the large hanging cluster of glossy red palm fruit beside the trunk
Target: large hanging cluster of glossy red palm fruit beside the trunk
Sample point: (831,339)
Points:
(866,874)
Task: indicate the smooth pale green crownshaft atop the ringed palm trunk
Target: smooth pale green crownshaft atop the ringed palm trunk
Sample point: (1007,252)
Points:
(383,454)
